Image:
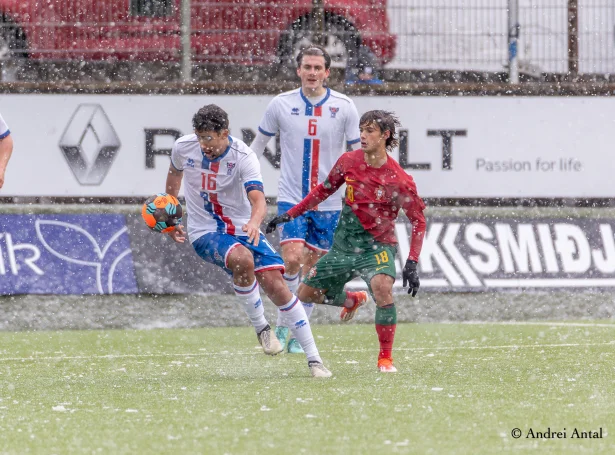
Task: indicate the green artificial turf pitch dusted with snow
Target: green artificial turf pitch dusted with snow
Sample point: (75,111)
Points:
(461,388)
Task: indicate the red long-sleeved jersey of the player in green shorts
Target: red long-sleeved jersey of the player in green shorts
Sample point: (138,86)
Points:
(374,196)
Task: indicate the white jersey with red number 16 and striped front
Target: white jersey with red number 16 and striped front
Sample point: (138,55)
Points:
(216,190)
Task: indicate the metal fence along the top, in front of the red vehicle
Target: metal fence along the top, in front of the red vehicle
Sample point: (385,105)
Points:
(554,36)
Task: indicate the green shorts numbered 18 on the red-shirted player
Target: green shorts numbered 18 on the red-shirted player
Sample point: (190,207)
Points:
(336,268)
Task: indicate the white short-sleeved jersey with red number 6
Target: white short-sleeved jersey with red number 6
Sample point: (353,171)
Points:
(312,138)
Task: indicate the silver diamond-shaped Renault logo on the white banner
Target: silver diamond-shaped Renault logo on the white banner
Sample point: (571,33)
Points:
(89,144)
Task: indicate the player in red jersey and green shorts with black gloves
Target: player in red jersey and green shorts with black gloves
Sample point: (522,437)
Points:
(364,243)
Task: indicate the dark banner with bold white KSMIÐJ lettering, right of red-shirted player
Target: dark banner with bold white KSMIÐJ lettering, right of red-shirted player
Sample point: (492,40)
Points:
(465,254)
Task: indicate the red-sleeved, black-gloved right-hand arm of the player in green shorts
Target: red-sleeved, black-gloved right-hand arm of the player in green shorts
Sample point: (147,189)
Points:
(413,206)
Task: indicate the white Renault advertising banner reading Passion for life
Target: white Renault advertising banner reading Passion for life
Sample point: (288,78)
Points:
(466,147)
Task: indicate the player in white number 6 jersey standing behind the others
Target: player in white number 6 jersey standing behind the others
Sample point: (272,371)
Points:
(316,125)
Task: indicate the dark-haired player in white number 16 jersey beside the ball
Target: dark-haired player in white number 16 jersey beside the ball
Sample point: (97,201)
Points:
(223,188)
